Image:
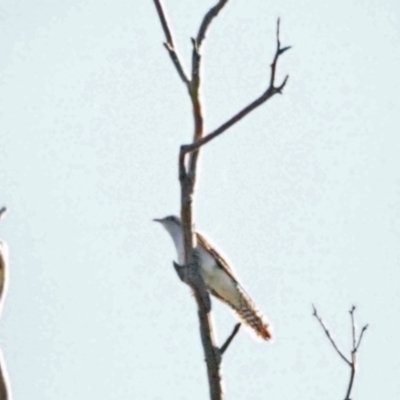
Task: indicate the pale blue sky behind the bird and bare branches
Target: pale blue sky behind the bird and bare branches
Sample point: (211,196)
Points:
(303,196)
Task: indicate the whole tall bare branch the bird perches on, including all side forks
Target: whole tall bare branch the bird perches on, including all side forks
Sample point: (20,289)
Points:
(188,173)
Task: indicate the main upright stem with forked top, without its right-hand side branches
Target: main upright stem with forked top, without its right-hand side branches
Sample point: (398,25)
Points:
(188,179)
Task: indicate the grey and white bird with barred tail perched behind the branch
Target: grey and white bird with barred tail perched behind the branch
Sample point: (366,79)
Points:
(218,277)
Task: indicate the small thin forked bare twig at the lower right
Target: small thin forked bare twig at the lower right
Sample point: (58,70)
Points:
(355,345)
